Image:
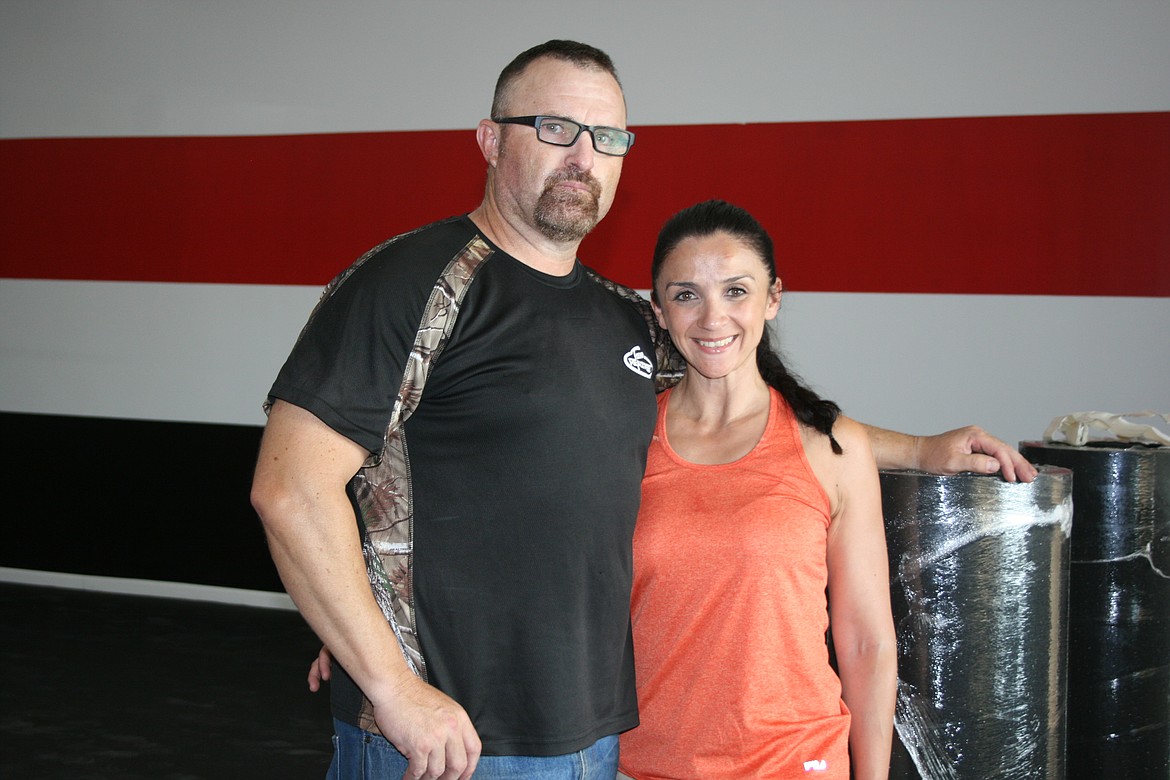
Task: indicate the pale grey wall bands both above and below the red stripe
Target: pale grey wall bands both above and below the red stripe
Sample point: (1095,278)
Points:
(244,67)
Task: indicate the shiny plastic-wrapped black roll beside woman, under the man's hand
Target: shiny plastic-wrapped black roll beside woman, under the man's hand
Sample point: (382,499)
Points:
(979,583)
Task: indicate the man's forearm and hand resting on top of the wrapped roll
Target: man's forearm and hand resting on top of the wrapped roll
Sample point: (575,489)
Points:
(963,450)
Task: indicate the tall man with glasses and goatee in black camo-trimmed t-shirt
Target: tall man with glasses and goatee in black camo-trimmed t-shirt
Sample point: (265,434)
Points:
(483,404)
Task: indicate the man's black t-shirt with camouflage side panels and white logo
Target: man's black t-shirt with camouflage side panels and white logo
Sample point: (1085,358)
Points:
(524,461)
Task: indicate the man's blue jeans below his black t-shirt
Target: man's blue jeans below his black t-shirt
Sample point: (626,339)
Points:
(362,756)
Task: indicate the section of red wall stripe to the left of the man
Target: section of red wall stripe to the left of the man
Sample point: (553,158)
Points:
(267,210)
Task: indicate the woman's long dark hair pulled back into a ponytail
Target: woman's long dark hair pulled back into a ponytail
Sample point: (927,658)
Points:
(713,217)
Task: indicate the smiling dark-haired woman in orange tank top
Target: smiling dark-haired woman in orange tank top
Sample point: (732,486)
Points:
(759,498)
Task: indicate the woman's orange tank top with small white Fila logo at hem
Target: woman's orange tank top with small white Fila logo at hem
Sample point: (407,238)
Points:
(729,617)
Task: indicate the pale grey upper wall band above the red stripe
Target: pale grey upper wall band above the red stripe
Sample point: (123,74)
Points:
(228,67)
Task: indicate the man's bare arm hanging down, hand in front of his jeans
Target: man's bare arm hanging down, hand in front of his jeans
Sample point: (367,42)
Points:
(299,492)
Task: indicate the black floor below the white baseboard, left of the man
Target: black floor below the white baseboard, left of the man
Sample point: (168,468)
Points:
(109,687)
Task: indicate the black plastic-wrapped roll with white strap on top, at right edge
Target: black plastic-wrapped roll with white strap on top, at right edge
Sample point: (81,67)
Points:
(1119,645)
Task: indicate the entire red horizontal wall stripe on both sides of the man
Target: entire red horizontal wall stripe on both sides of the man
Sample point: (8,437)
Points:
(1050,205)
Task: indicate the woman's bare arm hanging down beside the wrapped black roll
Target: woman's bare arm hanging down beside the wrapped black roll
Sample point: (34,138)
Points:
(861,619)
